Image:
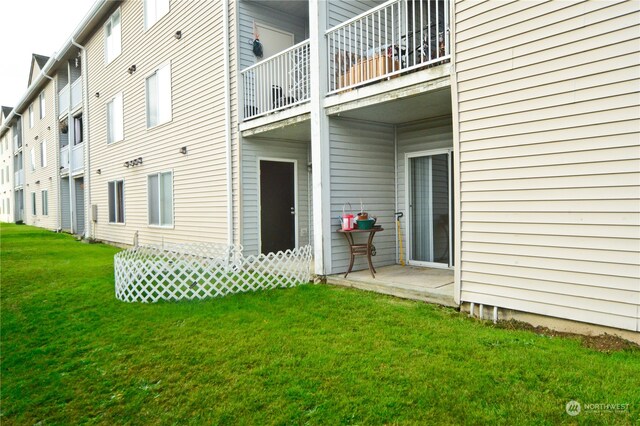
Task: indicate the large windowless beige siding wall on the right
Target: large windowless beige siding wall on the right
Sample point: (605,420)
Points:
(550,158)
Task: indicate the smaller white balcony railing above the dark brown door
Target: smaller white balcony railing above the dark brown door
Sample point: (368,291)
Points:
(278,82)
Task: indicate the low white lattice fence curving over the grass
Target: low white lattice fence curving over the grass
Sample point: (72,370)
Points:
(198,271)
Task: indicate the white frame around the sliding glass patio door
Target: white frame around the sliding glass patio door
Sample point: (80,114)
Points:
(407,197)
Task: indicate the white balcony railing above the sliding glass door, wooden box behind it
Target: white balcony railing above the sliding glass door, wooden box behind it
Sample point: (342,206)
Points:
(390,39)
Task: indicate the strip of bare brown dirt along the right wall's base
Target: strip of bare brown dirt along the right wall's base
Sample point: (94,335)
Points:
(603,343)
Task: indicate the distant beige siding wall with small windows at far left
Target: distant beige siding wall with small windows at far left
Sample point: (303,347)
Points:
(44,129)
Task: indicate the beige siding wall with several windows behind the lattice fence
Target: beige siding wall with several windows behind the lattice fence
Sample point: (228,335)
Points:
(197,102)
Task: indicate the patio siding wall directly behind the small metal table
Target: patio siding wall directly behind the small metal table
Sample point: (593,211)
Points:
(362,168)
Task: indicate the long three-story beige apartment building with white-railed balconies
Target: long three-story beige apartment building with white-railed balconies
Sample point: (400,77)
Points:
(506,134)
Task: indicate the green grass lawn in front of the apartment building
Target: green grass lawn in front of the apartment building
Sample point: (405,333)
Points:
(315,354)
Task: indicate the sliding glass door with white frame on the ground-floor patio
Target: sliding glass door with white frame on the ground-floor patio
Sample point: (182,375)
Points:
(429,207)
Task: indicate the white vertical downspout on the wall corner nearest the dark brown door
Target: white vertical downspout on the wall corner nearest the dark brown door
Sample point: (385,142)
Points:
(227,121)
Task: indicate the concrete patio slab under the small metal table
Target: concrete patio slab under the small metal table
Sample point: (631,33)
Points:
(428,284)
